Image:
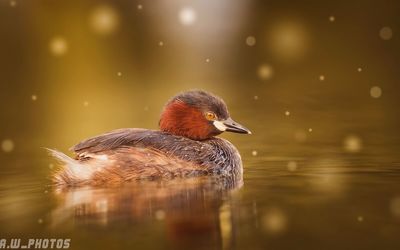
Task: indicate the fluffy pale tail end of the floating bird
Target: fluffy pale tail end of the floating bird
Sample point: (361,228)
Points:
(72,172)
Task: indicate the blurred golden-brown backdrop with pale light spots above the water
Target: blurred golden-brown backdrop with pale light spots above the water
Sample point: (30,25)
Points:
(73,69)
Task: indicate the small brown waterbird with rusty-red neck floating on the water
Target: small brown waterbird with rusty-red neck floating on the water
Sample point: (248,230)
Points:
(184,147)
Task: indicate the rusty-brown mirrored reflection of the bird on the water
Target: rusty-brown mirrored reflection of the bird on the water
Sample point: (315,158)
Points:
(191,209)
